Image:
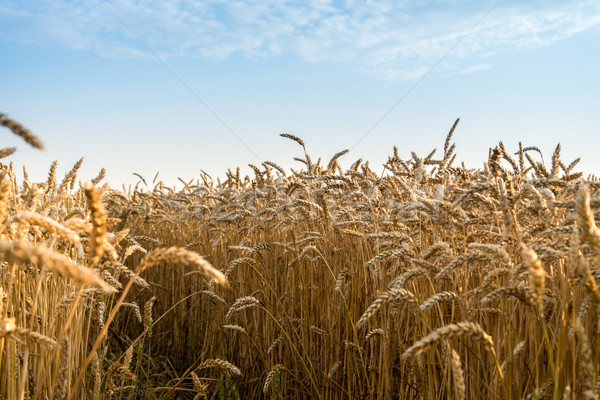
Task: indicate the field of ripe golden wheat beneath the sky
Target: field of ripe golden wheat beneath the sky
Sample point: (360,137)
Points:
(429,281)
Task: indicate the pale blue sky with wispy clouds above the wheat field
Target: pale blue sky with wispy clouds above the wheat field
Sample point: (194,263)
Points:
(79,77)
